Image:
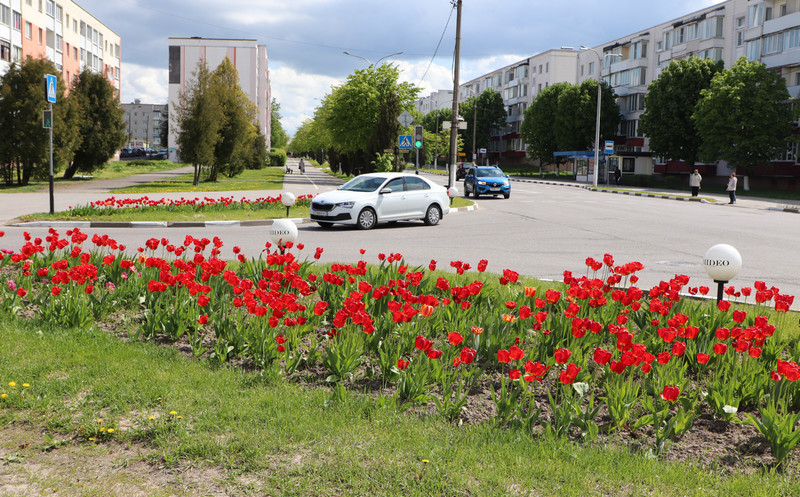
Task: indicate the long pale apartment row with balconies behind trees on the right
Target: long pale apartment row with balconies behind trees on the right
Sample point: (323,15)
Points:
(762,30)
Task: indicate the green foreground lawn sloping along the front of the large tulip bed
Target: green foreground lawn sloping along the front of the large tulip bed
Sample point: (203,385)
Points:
(285,440)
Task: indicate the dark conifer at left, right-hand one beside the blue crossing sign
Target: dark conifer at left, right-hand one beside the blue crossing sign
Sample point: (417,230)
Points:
(102,130)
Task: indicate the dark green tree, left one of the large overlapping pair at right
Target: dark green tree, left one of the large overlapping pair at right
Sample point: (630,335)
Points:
(670,102)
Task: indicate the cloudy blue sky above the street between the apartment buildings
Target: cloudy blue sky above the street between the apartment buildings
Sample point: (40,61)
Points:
(306,39)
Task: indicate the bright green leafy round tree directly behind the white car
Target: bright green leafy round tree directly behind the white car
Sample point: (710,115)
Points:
(361,114)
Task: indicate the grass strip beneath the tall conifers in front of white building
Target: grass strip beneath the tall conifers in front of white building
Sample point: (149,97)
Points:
(270,178)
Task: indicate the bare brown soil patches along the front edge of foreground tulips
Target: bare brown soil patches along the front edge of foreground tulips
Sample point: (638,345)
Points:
(728,447)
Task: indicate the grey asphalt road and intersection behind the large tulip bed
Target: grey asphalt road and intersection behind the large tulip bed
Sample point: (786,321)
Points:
(540,231)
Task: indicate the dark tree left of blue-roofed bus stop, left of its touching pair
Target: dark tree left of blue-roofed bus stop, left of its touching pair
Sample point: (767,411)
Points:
(537,128)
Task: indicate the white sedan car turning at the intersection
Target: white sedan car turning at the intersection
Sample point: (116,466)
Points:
(371,198)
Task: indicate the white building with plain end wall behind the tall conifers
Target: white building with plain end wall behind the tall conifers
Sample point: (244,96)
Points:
(249,59)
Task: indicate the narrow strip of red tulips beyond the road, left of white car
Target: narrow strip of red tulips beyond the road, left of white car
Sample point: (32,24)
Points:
(113,205)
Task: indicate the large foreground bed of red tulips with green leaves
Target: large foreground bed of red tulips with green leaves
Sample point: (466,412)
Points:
(593,356)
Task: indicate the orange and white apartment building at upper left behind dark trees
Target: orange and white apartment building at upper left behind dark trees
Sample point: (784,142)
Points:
(63,32)
